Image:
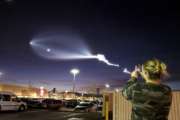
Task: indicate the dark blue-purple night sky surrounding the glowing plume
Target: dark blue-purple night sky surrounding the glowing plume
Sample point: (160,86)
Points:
(128,32)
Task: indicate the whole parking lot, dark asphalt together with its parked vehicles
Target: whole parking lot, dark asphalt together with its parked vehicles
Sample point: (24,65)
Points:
(14,108)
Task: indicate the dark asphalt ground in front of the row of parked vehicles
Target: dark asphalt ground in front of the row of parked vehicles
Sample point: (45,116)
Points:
(48,115)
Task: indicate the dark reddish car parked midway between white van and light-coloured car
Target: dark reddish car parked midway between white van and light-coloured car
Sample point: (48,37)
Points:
(51,103)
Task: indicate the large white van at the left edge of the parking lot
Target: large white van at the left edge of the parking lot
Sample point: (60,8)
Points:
(9,101)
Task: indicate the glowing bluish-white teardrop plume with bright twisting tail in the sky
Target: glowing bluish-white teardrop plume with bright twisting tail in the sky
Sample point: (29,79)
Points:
(64,47)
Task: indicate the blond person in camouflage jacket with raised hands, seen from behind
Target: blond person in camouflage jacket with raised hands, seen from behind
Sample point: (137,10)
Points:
(151,100)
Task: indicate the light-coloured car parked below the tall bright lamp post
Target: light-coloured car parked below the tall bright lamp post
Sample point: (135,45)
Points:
(86,107)
